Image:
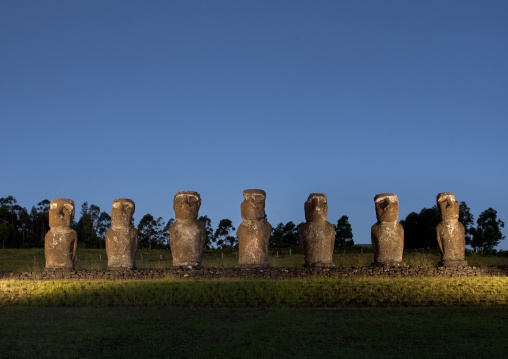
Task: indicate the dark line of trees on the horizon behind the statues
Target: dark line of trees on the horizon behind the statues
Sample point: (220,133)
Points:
(20,228)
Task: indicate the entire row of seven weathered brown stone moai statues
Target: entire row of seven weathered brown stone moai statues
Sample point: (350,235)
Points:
(188,234)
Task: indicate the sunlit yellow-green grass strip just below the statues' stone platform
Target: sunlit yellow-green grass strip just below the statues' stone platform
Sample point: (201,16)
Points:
(316,293)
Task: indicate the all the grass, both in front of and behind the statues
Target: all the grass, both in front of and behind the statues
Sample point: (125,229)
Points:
(423,317)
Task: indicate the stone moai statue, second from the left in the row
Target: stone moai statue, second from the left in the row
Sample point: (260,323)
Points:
(122,237)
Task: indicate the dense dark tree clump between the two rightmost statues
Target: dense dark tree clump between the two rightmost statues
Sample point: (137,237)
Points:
(420,228)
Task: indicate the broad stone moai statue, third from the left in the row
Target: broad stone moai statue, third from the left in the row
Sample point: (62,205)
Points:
(187,234)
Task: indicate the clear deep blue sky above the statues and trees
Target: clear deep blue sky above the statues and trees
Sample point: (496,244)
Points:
(141,99)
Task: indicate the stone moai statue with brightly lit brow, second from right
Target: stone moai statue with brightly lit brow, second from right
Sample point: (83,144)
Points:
(387,234)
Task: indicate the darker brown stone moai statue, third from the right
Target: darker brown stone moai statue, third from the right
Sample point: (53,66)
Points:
(317,235)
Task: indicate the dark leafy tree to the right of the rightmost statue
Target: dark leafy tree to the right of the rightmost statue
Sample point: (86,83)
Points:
(488,234)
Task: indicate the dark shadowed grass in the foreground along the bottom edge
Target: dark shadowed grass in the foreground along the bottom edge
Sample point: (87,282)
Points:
(138,332)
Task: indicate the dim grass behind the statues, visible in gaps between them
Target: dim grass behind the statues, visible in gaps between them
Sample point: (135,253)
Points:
(95,259)
